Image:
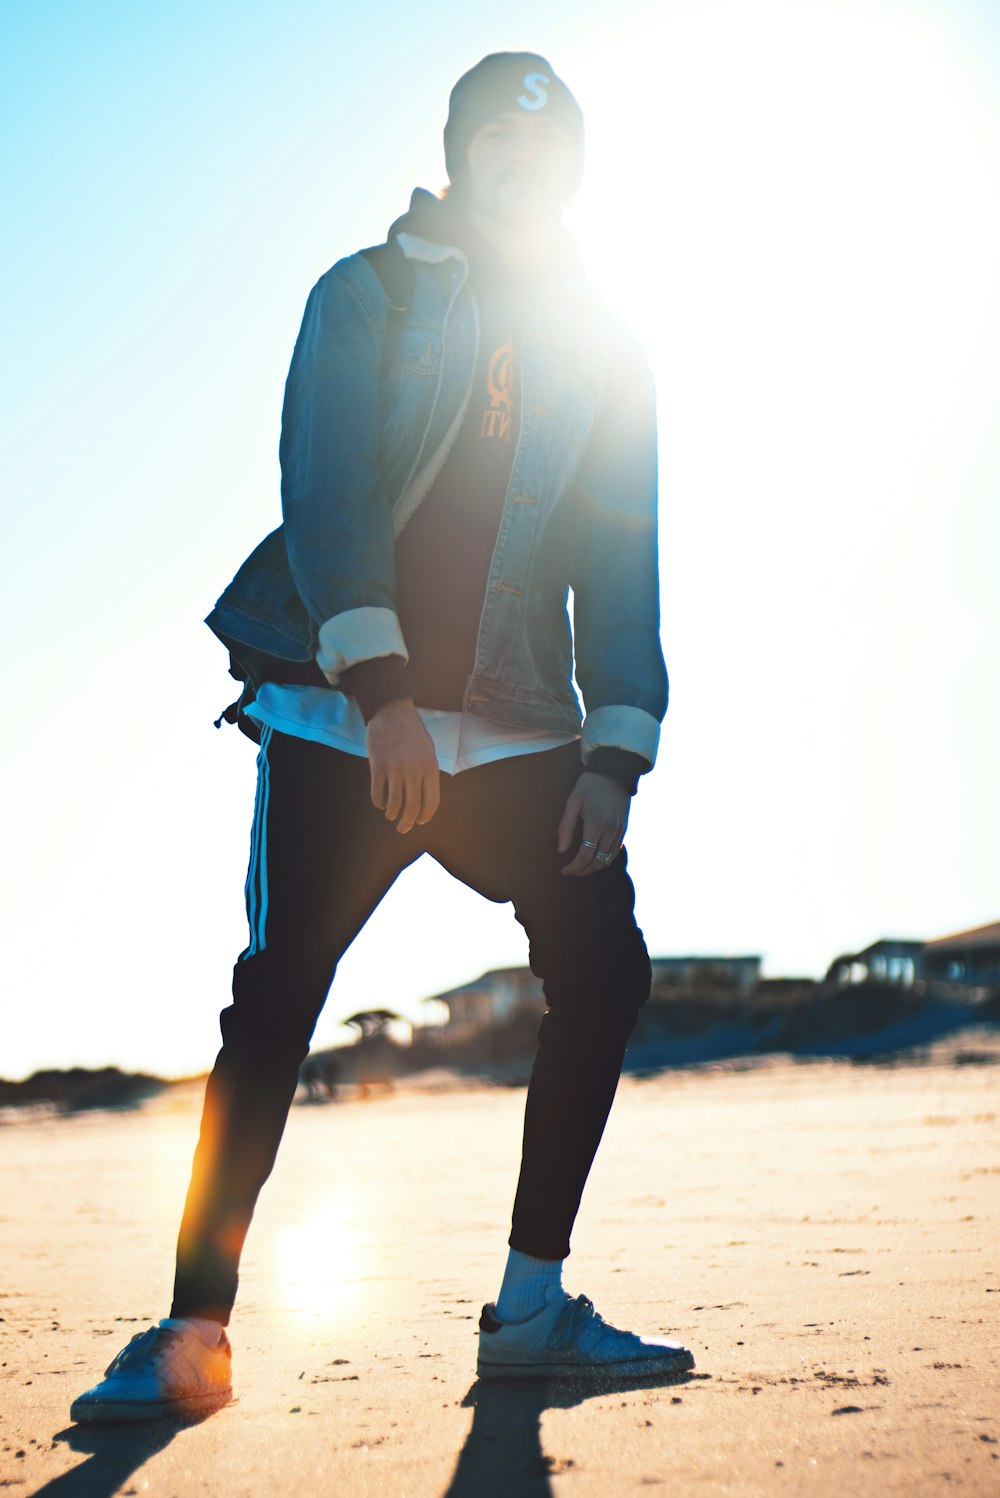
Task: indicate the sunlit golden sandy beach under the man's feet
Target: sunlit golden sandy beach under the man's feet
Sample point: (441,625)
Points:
(824,1237)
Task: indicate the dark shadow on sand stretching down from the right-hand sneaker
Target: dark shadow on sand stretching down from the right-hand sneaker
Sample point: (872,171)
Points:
(504,1451)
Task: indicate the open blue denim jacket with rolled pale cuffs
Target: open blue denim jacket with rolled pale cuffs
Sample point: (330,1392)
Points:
(363,441)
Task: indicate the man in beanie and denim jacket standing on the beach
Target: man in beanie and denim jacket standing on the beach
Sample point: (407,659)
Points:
(468,434)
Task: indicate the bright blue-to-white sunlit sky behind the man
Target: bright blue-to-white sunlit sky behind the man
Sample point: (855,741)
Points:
(797,207)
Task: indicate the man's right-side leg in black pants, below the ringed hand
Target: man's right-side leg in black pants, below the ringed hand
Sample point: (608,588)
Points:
(499,837)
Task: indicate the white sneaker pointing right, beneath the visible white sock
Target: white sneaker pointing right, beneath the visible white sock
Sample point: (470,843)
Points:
(568,1338)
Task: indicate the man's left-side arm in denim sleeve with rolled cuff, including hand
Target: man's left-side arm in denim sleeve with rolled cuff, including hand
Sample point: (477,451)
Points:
(339,537)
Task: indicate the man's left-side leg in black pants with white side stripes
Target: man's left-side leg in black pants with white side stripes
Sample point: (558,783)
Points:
(321,861)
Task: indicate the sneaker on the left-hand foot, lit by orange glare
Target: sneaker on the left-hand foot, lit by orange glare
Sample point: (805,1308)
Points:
(164,1371)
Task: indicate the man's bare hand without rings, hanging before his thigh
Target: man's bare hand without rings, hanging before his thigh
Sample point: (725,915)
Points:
(405,775)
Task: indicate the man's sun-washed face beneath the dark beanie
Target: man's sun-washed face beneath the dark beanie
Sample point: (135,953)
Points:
(522,169)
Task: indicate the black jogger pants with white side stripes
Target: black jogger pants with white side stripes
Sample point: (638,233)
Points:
(323,858)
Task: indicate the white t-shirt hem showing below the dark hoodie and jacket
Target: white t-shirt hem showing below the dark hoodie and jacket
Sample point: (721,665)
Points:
(332,718)
